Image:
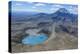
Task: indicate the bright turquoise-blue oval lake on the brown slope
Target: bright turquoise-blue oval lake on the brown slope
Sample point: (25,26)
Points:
(34,40)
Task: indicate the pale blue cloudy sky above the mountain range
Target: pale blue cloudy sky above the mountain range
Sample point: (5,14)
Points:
(18,6)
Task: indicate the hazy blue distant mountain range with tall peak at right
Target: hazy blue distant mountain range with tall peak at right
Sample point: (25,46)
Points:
(61,15)
